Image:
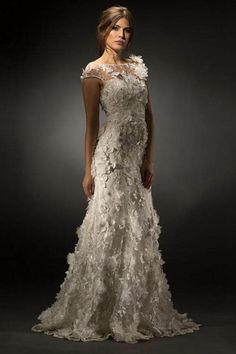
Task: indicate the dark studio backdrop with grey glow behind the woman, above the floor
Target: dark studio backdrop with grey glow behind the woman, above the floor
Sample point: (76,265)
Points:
(189,48)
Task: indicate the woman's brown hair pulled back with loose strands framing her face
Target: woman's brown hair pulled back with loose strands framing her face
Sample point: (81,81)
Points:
(107,20)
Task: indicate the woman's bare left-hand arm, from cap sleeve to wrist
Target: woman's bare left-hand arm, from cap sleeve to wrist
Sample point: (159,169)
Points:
(91,92)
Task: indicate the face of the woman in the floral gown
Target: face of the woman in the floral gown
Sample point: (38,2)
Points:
(119,36)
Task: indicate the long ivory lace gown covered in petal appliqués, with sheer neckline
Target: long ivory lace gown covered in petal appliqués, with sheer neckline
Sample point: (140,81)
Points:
(115,285)
